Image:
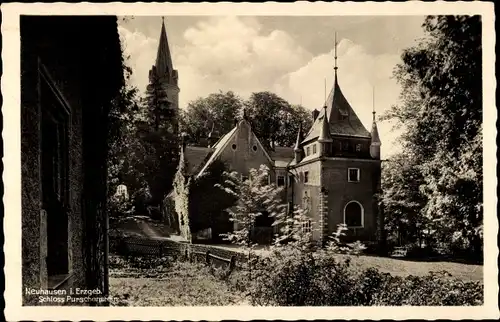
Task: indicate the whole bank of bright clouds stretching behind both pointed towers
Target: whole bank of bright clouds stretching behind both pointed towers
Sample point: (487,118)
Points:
(232,53)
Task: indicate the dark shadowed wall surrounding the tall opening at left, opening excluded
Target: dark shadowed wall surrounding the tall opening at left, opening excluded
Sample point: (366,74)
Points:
(65,46)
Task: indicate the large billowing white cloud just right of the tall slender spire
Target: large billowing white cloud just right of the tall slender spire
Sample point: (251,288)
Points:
(231,52)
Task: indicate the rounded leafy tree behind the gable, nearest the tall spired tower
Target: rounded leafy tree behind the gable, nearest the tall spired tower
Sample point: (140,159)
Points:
(216,113)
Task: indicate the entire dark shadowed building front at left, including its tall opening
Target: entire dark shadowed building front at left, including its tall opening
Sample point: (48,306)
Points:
(59,90)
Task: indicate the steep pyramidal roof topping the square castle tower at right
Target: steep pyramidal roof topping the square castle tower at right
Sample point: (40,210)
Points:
(341,117)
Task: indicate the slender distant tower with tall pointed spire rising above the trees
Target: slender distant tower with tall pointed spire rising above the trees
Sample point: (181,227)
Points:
(163,78)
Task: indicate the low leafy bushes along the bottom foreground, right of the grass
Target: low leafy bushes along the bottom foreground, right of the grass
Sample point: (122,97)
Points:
(297,278)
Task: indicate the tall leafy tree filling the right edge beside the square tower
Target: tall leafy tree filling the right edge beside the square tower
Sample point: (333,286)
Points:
(441,113)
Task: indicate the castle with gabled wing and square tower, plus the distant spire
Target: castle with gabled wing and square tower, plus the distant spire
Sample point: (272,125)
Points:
(333,170)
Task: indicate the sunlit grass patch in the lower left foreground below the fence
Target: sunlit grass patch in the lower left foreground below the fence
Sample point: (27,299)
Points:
(178,284)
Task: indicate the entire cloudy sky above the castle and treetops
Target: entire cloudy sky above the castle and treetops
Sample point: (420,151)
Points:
(292,56)
